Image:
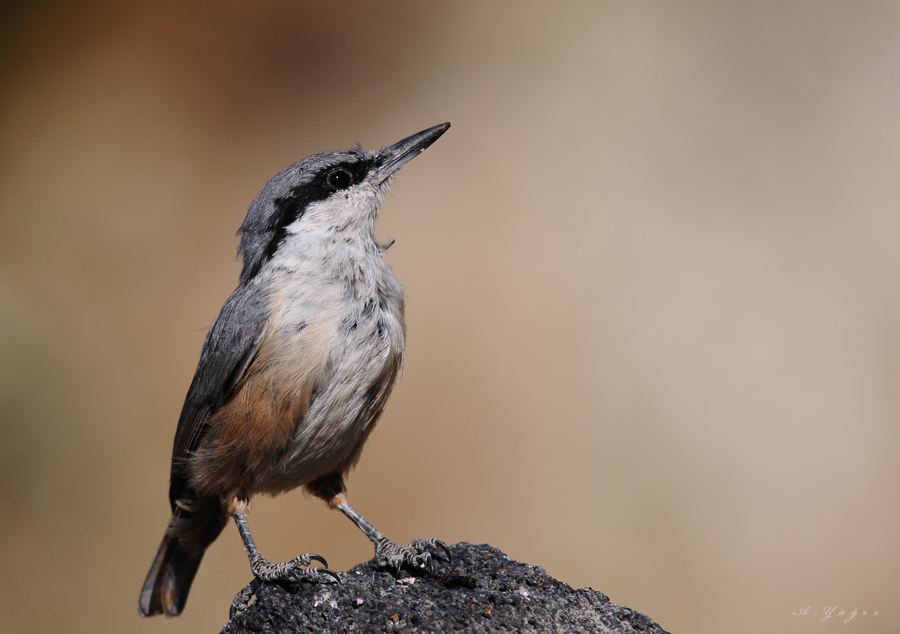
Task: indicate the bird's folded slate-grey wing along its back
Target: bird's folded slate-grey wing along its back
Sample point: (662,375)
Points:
(230,347)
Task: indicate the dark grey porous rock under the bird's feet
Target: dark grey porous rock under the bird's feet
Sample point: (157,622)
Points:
(482,590)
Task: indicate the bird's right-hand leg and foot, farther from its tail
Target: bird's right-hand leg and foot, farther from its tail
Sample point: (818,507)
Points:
(417,554)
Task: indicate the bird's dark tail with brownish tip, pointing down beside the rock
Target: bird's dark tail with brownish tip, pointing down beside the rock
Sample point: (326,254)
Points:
(191,530)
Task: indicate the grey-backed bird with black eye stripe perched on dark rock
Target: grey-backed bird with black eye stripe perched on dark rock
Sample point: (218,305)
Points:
(294,372)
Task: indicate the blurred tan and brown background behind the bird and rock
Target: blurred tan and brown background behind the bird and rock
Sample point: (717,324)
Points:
(653,282)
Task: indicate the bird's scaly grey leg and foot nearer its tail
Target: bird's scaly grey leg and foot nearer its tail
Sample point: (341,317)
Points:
(264,570)
